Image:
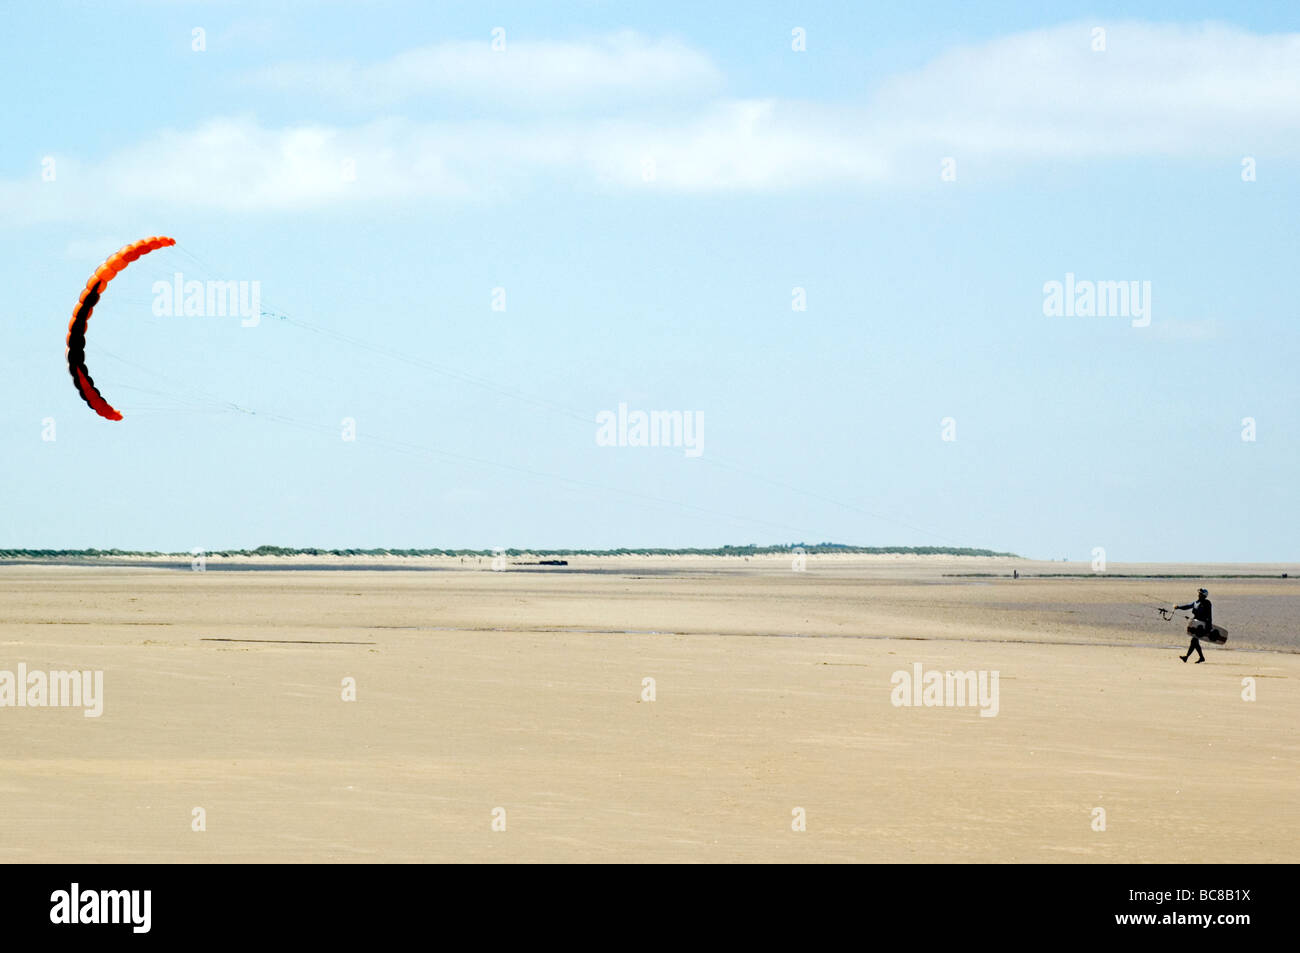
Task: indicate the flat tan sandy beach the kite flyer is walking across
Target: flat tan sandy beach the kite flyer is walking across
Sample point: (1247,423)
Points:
(523,691)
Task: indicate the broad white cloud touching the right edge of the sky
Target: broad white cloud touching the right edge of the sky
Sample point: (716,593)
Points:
(1158,90)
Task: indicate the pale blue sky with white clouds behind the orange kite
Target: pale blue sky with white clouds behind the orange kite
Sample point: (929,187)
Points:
(826,232)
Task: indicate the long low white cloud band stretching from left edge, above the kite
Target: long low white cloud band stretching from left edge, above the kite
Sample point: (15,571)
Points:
(239,164)
